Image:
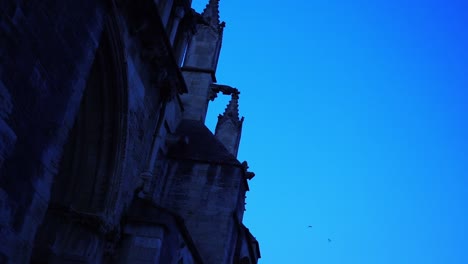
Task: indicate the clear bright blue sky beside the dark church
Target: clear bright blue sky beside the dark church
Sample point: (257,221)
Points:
(355,123)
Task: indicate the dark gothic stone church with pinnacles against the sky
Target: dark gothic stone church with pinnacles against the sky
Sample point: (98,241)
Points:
(104,154)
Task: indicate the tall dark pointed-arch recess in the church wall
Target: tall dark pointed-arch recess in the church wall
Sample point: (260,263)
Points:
(90,170)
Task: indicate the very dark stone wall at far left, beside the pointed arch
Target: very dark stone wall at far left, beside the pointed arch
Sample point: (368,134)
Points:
(44,62)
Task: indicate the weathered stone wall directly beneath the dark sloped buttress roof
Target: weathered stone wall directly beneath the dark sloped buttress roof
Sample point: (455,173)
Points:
(206,196)
